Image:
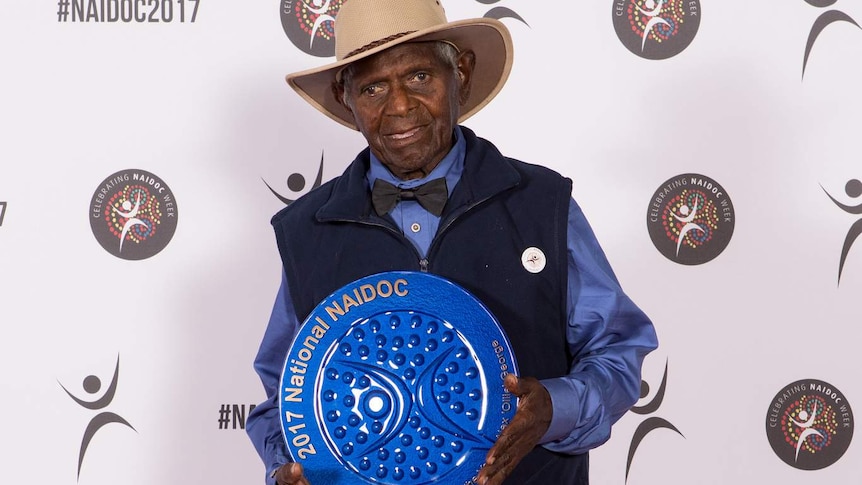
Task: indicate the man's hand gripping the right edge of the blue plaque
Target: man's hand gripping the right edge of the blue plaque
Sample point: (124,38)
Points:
(530,423)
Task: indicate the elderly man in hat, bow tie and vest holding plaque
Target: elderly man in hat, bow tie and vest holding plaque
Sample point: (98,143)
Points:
(507,231)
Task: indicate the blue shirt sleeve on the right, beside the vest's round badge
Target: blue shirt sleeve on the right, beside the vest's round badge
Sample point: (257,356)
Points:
(608,335)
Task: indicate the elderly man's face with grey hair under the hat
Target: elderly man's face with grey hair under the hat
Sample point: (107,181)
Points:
(406,102)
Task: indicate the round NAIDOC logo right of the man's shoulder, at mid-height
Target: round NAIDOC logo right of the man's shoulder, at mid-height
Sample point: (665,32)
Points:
(690,219)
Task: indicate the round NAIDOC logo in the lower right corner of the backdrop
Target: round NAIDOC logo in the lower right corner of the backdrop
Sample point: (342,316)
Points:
(809,424)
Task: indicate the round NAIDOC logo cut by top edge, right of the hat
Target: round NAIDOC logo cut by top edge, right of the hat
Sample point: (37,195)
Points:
(656,29)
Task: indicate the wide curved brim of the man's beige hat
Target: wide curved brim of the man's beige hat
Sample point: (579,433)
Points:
(488,38)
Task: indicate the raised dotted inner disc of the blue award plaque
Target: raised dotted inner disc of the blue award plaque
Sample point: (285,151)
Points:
(402,398)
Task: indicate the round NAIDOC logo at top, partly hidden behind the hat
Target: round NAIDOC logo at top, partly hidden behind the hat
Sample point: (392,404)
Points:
(310,24)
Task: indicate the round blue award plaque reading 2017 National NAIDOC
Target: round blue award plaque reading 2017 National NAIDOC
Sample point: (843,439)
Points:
(396,378)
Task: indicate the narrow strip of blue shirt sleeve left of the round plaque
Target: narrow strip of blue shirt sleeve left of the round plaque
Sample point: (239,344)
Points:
(264,422)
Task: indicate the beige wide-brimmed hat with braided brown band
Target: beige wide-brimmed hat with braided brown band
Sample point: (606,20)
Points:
(365,27)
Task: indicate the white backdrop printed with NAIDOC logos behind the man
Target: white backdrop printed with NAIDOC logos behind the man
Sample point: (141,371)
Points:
(714,146)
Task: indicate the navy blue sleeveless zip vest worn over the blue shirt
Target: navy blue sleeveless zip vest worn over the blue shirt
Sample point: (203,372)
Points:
(500,207)
